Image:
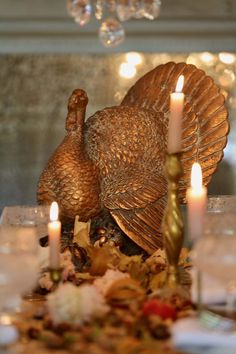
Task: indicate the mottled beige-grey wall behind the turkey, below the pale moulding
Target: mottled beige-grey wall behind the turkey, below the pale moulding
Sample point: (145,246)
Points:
(33,98)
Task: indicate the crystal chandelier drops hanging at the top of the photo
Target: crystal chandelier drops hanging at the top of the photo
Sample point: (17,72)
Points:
(112,13)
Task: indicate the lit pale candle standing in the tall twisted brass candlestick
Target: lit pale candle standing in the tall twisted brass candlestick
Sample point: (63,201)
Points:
(175,119)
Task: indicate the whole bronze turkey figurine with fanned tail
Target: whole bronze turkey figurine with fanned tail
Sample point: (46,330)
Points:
(114,161)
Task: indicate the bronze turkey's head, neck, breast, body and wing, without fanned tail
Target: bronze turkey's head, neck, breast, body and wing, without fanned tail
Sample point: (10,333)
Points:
(113,162)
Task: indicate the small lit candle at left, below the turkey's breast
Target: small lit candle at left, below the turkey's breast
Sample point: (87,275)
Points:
(54,233)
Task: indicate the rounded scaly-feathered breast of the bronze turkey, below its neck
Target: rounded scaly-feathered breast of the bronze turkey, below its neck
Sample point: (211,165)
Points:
(71,179)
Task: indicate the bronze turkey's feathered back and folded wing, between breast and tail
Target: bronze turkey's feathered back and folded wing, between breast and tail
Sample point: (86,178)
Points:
(127,144)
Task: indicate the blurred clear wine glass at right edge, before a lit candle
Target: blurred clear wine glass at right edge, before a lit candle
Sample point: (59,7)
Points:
(215,252)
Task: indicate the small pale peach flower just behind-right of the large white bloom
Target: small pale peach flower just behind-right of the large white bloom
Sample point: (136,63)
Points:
(105,282)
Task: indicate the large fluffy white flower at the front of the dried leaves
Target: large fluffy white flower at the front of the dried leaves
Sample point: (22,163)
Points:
(76,305)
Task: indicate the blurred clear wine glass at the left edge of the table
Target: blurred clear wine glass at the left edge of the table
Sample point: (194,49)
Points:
(19,268)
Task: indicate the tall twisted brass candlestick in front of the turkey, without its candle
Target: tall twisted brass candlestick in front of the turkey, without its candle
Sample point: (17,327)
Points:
(172,224)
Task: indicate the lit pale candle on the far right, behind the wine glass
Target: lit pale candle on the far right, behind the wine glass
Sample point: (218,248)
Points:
(196,199)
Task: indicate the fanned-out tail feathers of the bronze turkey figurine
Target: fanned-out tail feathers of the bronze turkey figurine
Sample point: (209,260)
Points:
(205,121)
